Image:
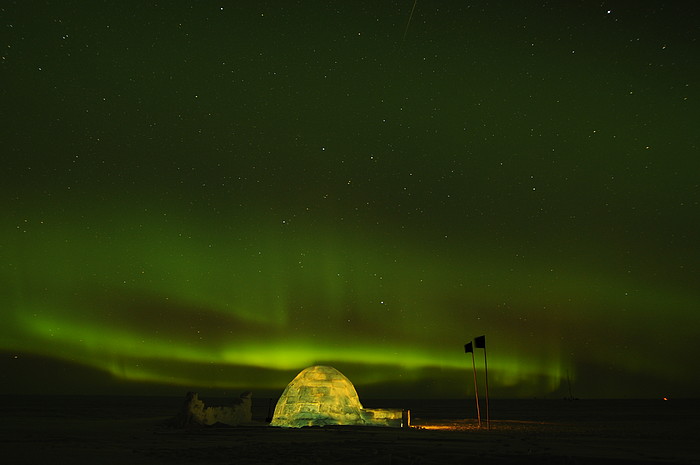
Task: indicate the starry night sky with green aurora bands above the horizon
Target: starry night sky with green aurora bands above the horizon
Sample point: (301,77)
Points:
(216,195)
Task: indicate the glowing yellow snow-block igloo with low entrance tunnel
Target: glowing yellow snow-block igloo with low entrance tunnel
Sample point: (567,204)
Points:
(321,395)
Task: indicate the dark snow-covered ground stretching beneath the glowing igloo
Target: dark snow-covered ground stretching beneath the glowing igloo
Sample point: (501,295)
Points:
(126,430)
